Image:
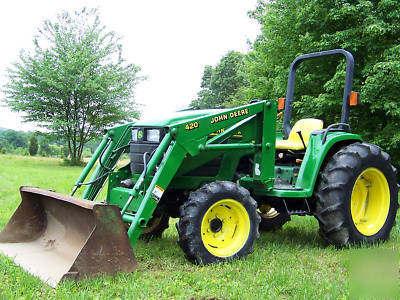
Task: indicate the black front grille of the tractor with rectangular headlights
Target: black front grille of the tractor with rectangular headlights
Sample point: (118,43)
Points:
(141,144)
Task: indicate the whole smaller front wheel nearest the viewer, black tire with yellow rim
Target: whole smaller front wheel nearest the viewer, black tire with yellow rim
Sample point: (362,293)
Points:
(219,222)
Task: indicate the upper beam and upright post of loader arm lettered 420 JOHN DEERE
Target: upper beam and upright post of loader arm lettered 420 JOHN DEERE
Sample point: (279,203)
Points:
(194,140)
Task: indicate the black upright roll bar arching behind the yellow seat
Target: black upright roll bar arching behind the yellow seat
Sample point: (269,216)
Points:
(292,79)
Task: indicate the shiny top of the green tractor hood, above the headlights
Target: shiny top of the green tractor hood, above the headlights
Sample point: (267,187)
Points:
(176,117)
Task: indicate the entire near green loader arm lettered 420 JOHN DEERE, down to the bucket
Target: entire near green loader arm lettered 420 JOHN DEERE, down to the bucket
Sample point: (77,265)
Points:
(190,138)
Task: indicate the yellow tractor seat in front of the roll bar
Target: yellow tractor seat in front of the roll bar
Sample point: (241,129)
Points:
(305,126)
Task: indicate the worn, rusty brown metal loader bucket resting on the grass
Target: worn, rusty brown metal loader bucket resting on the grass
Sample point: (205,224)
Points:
(54,236)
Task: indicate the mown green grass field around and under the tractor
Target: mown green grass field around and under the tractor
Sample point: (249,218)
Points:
(292,263)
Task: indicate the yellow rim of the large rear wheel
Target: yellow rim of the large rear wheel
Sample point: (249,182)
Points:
(370,201)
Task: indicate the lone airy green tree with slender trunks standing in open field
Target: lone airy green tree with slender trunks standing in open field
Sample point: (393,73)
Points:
(76,82)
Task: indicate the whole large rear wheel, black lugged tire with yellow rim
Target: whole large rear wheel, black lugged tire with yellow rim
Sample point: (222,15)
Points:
(356,199)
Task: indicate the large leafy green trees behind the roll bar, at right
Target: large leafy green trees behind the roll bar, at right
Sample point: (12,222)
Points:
(368,29)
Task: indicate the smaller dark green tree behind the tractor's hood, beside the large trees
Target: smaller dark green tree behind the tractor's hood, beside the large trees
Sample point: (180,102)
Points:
(220,85)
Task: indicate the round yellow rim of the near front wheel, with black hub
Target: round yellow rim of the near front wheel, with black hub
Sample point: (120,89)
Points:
(225,228)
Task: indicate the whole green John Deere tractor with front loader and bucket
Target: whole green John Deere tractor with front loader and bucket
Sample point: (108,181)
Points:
(225,173)
